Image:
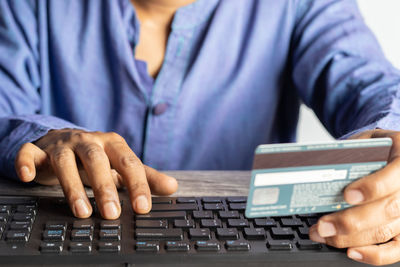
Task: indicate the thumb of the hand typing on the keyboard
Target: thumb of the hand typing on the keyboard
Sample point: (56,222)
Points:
(160,183)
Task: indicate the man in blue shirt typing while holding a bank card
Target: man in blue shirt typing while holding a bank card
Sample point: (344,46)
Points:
(184,84)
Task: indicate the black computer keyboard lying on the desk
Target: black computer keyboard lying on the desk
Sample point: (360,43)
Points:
(182,230)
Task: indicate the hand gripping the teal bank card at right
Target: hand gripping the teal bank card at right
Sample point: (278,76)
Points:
(370,229)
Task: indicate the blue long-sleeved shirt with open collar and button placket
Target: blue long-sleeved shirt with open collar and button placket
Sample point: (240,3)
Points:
(233,77)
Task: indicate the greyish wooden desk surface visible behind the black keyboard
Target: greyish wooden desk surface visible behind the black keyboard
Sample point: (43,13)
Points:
(191,183)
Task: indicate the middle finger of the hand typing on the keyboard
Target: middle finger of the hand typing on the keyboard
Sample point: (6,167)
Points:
(97,167)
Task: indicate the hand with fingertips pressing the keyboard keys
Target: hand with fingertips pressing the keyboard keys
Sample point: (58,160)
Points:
(56,154)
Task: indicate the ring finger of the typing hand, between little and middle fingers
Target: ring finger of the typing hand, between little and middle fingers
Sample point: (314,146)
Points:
(64,165)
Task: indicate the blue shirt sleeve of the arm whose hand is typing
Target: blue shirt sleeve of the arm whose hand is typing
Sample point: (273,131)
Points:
(20,101)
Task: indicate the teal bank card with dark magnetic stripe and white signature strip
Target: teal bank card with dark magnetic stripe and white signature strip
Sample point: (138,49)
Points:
(310,178)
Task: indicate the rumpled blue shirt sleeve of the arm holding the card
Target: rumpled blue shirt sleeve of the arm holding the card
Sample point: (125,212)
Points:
(340,70)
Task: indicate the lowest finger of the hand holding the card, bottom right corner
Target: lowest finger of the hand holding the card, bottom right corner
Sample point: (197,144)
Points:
(382,254)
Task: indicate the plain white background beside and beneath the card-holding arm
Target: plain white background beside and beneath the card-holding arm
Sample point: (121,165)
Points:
(382,16)
